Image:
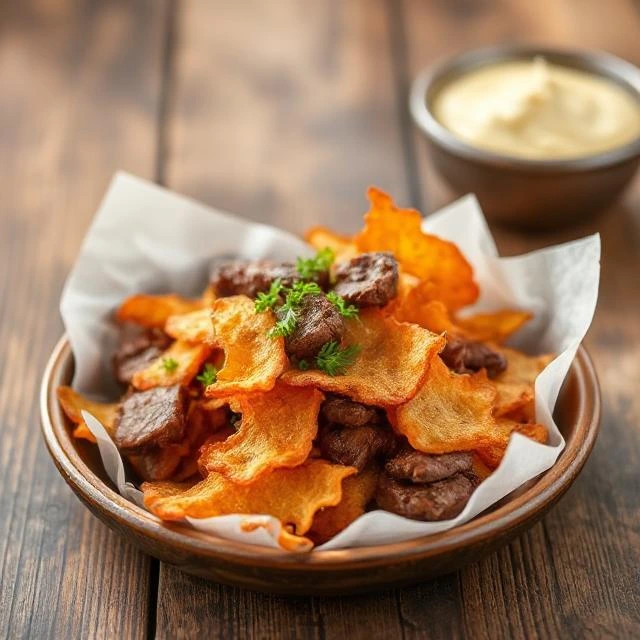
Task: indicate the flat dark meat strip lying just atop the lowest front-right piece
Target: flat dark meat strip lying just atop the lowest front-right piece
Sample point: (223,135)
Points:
(416,466)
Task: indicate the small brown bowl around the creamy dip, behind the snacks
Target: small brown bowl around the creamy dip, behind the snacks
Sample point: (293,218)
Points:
(532,194)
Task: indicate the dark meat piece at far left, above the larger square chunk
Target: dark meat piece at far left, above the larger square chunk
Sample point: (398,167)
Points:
(137,349)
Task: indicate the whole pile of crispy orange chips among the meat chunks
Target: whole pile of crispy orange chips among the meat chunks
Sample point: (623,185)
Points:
(248,446)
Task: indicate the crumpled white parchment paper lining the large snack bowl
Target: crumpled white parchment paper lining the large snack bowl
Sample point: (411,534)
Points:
(147,239)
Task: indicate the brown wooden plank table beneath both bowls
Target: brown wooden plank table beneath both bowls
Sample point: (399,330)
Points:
(284,112)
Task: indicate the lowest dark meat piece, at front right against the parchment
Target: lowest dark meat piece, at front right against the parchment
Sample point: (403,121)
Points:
(441,500)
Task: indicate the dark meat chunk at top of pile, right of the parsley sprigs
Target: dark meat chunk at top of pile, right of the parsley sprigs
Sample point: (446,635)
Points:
(368,280)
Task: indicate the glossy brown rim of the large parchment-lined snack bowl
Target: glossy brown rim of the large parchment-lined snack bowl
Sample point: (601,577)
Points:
(547,489)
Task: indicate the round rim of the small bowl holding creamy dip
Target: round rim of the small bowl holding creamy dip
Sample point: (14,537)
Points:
(600,63)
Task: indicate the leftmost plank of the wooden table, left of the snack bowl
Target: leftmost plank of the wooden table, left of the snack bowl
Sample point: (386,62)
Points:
(81,85)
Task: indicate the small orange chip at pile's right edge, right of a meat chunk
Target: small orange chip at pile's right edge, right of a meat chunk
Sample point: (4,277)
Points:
(516,385)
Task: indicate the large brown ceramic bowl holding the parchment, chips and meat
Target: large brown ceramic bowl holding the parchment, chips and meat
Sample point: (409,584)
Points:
(321,572)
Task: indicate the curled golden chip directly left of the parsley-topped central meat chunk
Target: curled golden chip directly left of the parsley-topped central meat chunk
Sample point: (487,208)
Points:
(253,360)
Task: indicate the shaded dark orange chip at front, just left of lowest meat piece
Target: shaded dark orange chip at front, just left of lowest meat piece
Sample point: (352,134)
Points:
(357,492)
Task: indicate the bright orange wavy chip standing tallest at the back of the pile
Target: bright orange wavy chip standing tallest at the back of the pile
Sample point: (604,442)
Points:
(433,260)
